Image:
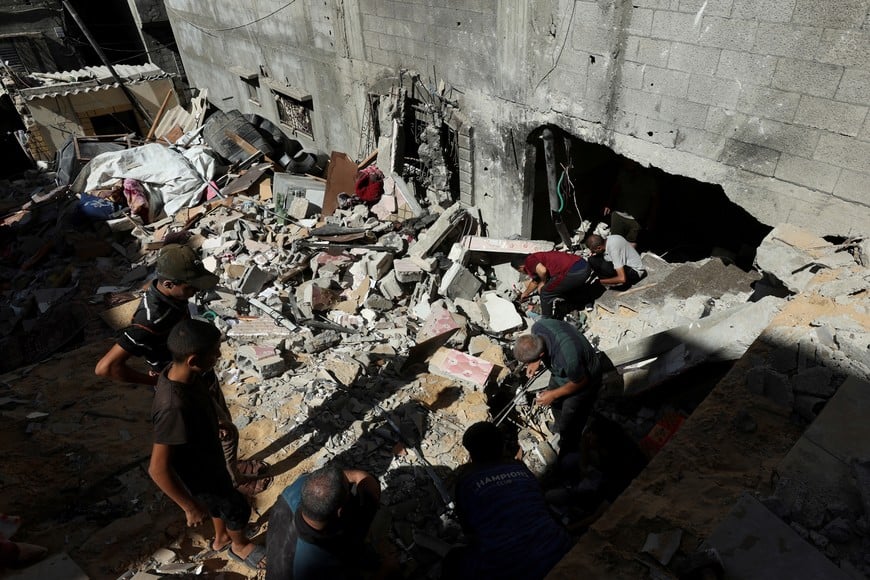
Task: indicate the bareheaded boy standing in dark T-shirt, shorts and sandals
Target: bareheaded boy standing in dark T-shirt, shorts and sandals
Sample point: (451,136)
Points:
(187,461)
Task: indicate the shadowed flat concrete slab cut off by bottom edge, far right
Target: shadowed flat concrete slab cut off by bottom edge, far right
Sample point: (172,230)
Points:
(751,533)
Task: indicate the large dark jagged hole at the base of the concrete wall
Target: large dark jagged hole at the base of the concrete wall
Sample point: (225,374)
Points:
(682,219)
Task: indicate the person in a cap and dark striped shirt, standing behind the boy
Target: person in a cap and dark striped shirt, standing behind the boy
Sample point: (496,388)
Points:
(180,275)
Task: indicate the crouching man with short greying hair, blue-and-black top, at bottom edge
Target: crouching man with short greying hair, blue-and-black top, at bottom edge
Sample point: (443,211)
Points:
(318,526)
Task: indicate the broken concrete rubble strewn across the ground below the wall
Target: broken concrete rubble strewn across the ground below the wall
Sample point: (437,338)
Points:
(345,314)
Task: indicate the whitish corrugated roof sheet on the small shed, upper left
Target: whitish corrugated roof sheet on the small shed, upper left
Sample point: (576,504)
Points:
(89,79)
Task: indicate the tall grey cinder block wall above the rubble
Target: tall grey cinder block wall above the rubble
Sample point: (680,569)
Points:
(768,98)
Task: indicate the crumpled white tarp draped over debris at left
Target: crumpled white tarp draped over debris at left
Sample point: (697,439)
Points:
(173,179)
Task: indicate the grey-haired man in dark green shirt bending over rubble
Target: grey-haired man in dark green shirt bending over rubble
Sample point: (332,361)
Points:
(575,376)
